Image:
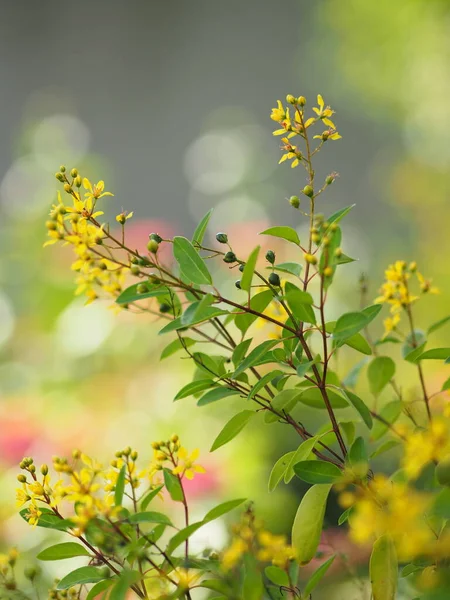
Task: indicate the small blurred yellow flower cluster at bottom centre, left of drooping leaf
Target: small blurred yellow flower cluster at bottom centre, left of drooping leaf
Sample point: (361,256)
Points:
(249,536)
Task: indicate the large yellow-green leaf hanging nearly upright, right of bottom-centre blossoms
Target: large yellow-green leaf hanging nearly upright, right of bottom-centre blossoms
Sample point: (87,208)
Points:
(308,523)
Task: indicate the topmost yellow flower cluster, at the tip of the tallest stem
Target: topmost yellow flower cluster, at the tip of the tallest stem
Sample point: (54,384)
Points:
(298,124)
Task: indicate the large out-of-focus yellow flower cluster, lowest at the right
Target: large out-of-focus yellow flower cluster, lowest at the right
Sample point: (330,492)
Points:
(385,506)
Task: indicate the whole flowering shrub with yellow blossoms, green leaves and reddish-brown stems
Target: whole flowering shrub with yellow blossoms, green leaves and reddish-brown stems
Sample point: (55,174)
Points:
(402,515)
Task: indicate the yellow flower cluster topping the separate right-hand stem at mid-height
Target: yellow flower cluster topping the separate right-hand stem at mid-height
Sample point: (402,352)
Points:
(396,291)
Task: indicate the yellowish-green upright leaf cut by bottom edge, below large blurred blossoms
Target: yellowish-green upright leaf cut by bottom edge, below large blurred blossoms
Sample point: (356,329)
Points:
(383,569)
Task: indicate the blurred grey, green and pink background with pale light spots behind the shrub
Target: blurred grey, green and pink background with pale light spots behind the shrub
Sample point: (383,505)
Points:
(169,103)
